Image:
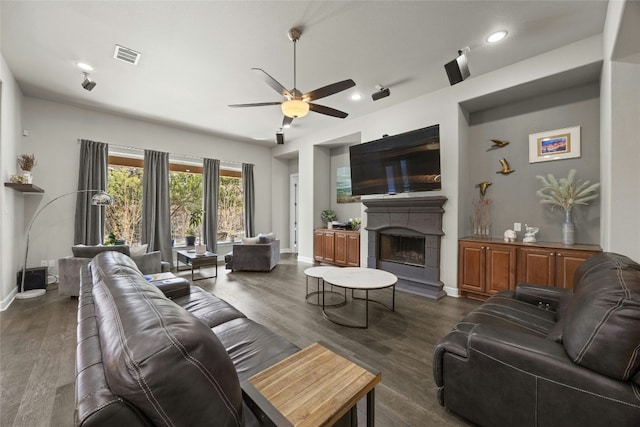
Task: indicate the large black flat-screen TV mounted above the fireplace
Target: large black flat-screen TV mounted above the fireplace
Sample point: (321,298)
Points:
(397,164)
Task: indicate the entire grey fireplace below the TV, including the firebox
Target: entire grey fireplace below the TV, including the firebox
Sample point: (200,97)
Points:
(404,239)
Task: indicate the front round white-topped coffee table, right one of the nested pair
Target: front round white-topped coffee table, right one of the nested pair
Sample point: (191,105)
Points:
(360,279)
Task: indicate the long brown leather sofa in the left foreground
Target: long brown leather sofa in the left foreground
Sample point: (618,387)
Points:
(144,359)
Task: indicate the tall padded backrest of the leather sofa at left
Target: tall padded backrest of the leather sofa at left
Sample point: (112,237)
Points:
(158,356)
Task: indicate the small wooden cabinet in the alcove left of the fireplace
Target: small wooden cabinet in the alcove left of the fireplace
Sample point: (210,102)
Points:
(337,247)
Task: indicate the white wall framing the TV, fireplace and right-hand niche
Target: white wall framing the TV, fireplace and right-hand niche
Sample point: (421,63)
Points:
(440,107)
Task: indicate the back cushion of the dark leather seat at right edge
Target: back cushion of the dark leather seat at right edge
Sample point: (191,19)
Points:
(602,322)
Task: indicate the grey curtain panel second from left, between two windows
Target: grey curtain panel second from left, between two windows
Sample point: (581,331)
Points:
(156,218)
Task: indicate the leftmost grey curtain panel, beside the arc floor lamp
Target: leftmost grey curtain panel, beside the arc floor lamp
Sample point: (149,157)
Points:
(89,221)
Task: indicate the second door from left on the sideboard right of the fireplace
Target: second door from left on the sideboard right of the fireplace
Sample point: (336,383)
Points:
(501,268)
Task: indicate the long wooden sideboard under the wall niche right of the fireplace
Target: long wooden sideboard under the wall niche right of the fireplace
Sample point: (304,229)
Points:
(486,266)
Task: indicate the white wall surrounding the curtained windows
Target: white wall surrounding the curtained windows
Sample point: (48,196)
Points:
(54,129)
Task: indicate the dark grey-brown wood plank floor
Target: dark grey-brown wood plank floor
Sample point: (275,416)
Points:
(37,345)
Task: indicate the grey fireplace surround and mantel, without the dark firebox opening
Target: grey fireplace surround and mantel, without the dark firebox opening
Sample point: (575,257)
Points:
(417,215)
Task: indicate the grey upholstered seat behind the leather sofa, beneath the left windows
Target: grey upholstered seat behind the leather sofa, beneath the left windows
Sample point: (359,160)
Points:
(69,267)
